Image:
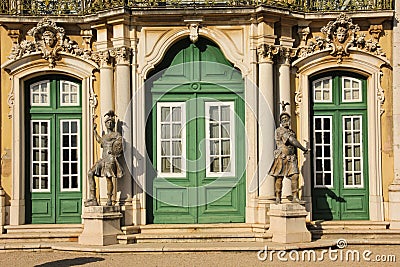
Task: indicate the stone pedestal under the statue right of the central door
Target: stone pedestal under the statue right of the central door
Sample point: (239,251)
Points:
(288,223)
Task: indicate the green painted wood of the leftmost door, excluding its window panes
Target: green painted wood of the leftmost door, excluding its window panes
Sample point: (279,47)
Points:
(54,206)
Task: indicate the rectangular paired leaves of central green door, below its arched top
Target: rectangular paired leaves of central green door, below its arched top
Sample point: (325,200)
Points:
(200,192)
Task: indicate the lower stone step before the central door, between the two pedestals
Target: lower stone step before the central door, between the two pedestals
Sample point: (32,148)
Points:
(194,237)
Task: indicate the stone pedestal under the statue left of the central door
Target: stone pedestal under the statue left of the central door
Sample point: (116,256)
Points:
(101,225)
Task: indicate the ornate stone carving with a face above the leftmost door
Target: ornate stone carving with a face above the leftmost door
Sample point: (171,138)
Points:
(50,40)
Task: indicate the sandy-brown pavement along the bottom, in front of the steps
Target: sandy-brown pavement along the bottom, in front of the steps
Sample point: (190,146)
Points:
(378,255)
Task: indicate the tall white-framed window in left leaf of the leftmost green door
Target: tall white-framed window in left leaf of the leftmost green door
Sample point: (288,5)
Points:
(34,190)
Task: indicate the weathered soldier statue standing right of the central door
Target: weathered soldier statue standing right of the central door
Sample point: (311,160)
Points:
(285,158)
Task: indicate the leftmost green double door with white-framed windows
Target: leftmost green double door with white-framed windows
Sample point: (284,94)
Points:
(53,150)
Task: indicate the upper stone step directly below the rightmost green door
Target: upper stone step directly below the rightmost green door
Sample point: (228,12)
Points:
(337,225)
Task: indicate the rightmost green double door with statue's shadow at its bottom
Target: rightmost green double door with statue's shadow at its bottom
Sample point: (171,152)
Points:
(340,162)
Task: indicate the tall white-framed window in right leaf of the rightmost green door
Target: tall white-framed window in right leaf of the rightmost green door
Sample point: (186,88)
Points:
(361,152)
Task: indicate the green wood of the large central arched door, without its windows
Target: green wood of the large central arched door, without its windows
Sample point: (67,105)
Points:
(194,74)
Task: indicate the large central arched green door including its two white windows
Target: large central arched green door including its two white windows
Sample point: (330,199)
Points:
(197,137)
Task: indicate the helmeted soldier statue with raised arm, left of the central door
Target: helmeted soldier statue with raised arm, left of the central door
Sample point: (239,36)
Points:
(107,166)
